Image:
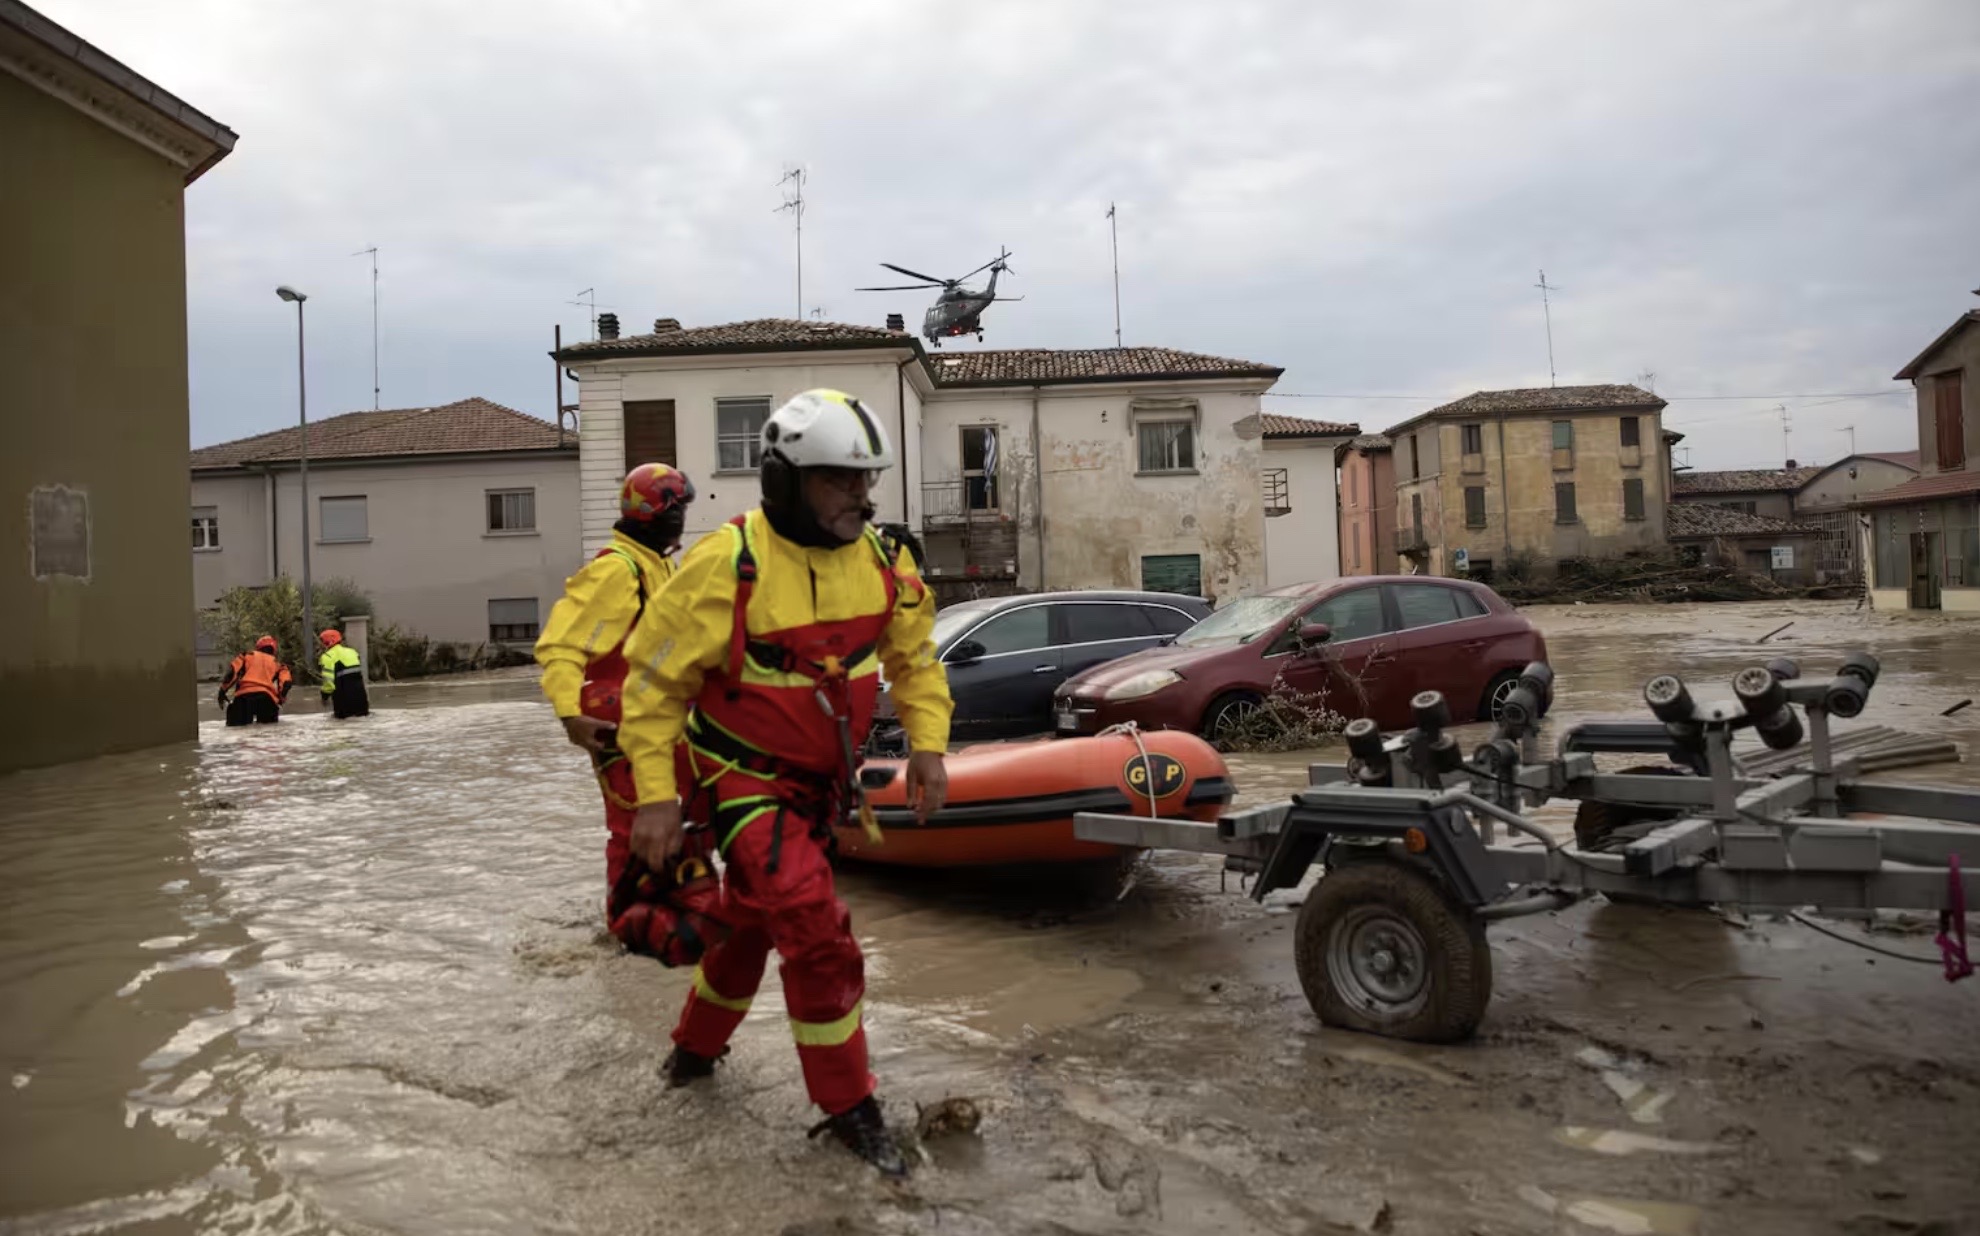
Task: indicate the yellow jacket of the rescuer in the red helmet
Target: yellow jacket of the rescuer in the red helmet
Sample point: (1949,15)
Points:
(593,619)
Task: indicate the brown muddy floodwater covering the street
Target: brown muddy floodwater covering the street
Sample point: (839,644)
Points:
(349,978)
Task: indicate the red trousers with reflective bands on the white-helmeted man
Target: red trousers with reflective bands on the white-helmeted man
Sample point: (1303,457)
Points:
(779,896)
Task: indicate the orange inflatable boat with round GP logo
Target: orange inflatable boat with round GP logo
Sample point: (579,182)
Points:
(1013,803)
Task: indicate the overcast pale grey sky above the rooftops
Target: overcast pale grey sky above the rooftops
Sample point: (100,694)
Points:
(1775,197)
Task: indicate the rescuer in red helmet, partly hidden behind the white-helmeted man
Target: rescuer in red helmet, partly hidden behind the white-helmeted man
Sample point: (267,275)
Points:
(581,645)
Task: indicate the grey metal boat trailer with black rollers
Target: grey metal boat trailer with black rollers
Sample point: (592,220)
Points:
(1391,938)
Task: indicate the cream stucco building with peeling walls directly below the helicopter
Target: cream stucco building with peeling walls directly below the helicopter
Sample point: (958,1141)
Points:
(1039,468)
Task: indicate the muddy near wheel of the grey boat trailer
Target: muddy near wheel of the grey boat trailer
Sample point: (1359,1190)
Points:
(1381,948)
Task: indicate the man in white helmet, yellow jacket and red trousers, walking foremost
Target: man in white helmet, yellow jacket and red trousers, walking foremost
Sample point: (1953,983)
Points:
(751,684)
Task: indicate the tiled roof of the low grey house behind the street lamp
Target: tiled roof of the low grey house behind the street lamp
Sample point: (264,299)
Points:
(466,427)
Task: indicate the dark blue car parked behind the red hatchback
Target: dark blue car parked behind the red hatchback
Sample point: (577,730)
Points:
(1009,655)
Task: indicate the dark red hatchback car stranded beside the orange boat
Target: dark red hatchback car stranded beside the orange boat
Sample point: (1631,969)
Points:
(1367,643)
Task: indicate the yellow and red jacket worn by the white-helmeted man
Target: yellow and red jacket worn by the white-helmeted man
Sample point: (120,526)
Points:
(807,607)
